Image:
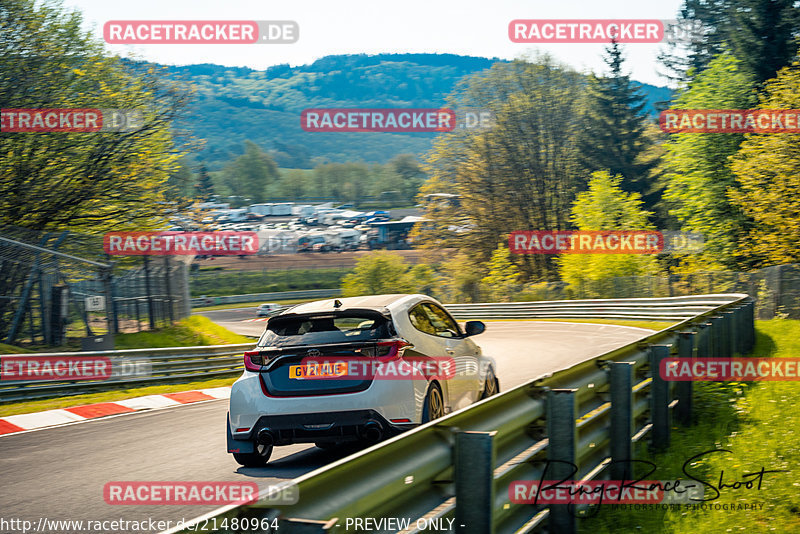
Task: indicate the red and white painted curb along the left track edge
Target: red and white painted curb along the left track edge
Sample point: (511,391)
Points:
(34,421)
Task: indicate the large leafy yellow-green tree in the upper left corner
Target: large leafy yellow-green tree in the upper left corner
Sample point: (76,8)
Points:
(90,181)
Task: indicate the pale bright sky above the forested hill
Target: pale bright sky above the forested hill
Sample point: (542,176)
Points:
(467,27)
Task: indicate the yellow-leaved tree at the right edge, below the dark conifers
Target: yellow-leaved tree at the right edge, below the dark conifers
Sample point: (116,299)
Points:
(766,169)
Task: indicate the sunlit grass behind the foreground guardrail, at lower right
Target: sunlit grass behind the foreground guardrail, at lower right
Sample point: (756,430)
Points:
(759,423)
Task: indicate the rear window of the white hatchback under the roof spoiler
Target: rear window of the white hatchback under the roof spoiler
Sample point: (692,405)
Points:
(322,329)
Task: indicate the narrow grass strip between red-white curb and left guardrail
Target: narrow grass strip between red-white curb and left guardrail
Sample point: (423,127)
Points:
(108,396)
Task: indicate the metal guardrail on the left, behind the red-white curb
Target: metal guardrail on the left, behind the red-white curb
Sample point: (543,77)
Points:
(128,368)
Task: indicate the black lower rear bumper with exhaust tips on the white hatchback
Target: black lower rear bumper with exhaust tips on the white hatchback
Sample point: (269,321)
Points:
(332,427)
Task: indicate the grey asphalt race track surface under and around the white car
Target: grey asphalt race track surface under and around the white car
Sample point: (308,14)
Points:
(59,473)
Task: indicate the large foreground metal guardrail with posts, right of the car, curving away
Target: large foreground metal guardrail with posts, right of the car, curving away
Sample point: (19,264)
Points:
(460,466)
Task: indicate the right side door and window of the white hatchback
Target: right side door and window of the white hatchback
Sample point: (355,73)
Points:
(465,384)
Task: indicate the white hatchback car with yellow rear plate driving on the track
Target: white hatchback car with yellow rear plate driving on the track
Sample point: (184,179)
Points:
(356,369)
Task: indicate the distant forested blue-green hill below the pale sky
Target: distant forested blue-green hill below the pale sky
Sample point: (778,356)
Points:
(235,104)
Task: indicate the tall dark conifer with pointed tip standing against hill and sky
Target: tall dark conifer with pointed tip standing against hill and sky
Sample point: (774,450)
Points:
(614,137)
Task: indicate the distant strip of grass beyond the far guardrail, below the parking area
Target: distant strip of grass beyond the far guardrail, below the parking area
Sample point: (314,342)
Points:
(221,283)
